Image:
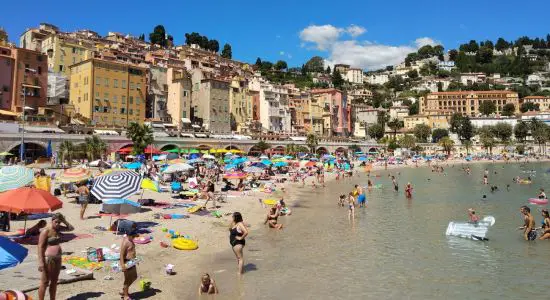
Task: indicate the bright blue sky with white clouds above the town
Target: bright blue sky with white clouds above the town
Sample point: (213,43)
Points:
(365,34)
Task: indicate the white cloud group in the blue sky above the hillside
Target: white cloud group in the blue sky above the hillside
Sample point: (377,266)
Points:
(361,54)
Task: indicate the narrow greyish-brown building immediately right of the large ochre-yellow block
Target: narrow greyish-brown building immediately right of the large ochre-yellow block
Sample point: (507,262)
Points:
(157,95)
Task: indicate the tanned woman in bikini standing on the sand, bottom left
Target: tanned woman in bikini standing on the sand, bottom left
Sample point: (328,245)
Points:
(49,255)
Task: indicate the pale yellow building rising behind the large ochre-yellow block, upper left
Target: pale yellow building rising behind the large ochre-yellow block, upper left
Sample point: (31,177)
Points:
(64,51)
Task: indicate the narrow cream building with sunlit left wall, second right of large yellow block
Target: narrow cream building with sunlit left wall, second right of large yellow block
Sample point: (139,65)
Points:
(179,98)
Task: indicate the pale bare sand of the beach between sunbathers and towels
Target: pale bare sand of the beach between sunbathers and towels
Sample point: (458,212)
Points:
(210,232)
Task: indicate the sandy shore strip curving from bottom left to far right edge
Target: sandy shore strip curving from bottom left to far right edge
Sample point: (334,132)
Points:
(211,233)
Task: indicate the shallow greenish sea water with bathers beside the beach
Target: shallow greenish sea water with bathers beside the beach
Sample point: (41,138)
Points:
(397,248)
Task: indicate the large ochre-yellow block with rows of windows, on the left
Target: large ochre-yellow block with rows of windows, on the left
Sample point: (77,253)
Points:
(108,92)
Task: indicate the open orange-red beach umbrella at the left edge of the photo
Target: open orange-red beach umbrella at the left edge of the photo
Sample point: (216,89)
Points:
(28,200)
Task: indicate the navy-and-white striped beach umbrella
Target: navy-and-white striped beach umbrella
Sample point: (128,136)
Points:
(117,185)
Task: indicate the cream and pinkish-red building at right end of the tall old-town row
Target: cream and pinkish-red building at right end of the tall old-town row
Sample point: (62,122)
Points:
(337,114)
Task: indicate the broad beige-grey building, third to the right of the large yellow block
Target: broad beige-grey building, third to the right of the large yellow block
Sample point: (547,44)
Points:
(214,105)
